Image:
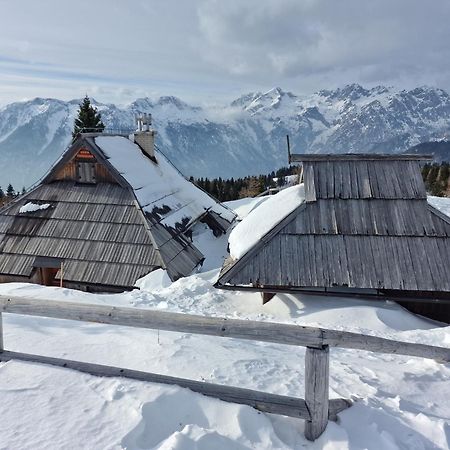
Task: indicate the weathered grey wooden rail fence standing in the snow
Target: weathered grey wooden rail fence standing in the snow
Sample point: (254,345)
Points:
(316,408)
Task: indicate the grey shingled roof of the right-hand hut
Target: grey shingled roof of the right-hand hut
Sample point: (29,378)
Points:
(364,224)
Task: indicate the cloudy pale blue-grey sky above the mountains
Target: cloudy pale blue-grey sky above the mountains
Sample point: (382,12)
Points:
(212,51)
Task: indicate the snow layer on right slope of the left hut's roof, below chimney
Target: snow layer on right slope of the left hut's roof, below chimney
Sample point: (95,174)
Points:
(159,187)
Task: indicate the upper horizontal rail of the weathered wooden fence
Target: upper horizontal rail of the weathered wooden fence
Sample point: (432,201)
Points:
(277,333)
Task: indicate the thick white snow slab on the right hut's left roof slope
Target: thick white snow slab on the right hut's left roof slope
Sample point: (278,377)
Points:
(260,221)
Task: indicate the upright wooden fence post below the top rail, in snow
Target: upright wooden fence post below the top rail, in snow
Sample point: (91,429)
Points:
(317,366)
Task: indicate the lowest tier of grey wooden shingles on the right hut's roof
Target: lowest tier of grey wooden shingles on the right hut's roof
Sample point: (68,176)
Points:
(372,262)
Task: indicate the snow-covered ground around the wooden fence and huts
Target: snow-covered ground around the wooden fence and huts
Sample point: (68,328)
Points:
(400,402)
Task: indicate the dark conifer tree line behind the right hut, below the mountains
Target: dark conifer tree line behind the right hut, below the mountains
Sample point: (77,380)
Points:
(435,176)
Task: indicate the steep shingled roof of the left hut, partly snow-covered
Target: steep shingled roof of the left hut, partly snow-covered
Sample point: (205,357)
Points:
(129,222)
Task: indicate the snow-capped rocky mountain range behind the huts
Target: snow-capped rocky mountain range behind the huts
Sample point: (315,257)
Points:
(245,137)
